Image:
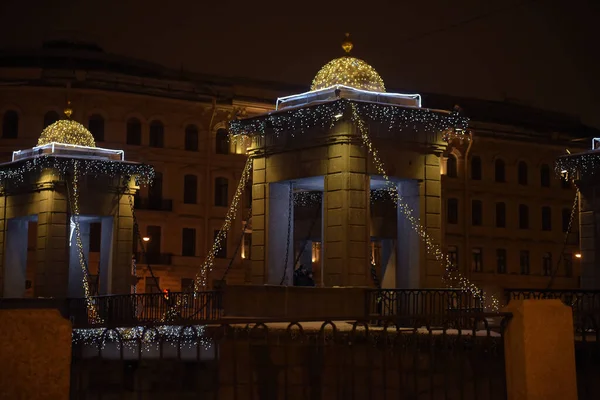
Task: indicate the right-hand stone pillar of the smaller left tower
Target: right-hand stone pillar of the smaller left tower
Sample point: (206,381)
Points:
(122,248)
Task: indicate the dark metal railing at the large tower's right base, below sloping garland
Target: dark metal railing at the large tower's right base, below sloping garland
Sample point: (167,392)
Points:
(443,305)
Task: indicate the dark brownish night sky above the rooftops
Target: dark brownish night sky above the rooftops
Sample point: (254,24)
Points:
(542,53)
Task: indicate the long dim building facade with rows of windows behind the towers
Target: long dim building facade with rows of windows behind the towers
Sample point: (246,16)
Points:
(502,209)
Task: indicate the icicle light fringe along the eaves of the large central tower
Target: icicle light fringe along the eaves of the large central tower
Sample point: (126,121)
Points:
(325,115)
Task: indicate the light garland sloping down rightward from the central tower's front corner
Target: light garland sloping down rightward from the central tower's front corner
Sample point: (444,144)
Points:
(454,277)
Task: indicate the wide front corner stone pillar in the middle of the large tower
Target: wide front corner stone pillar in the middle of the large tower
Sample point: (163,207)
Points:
(346,217)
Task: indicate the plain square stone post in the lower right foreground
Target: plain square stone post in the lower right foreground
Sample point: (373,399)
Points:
(539,351)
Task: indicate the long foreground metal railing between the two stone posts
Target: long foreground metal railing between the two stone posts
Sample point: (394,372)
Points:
(263,358)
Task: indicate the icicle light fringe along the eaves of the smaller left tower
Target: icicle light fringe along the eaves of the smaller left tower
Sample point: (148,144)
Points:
(16,172)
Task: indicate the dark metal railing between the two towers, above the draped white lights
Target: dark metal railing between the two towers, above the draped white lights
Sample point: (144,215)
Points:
(148,308)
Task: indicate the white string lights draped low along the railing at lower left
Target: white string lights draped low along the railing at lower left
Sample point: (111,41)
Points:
(186,336)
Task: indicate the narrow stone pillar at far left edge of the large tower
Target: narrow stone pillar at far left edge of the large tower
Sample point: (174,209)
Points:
(259,204)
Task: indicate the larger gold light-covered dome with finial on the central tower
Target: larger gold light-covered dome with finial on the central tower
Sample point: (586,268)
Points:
(348,71)
